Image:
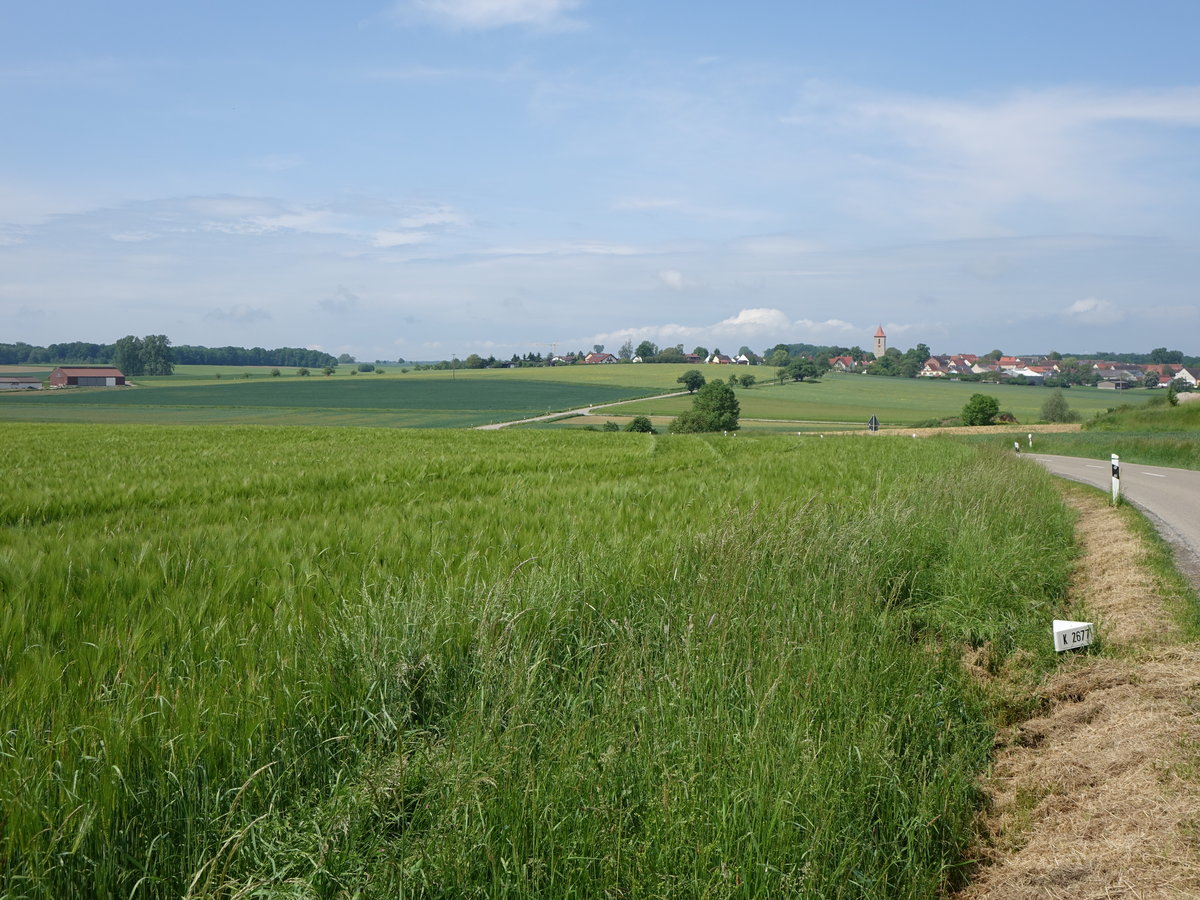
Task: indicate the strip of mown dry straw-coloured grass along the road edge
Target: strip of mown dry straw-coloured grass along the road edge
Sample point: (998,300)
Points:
(1100,796)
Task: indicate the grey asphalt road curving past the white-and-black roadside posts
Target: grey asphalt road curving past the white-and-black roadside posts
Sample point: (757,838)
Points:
(1169,497)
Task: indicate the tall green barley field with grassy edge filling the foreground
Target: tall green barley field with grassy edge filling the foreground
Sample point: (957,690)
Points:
(319,663)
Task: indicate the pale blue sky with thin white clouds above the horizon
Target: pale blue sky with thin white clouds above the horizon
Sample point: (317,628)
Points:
(418,179)
